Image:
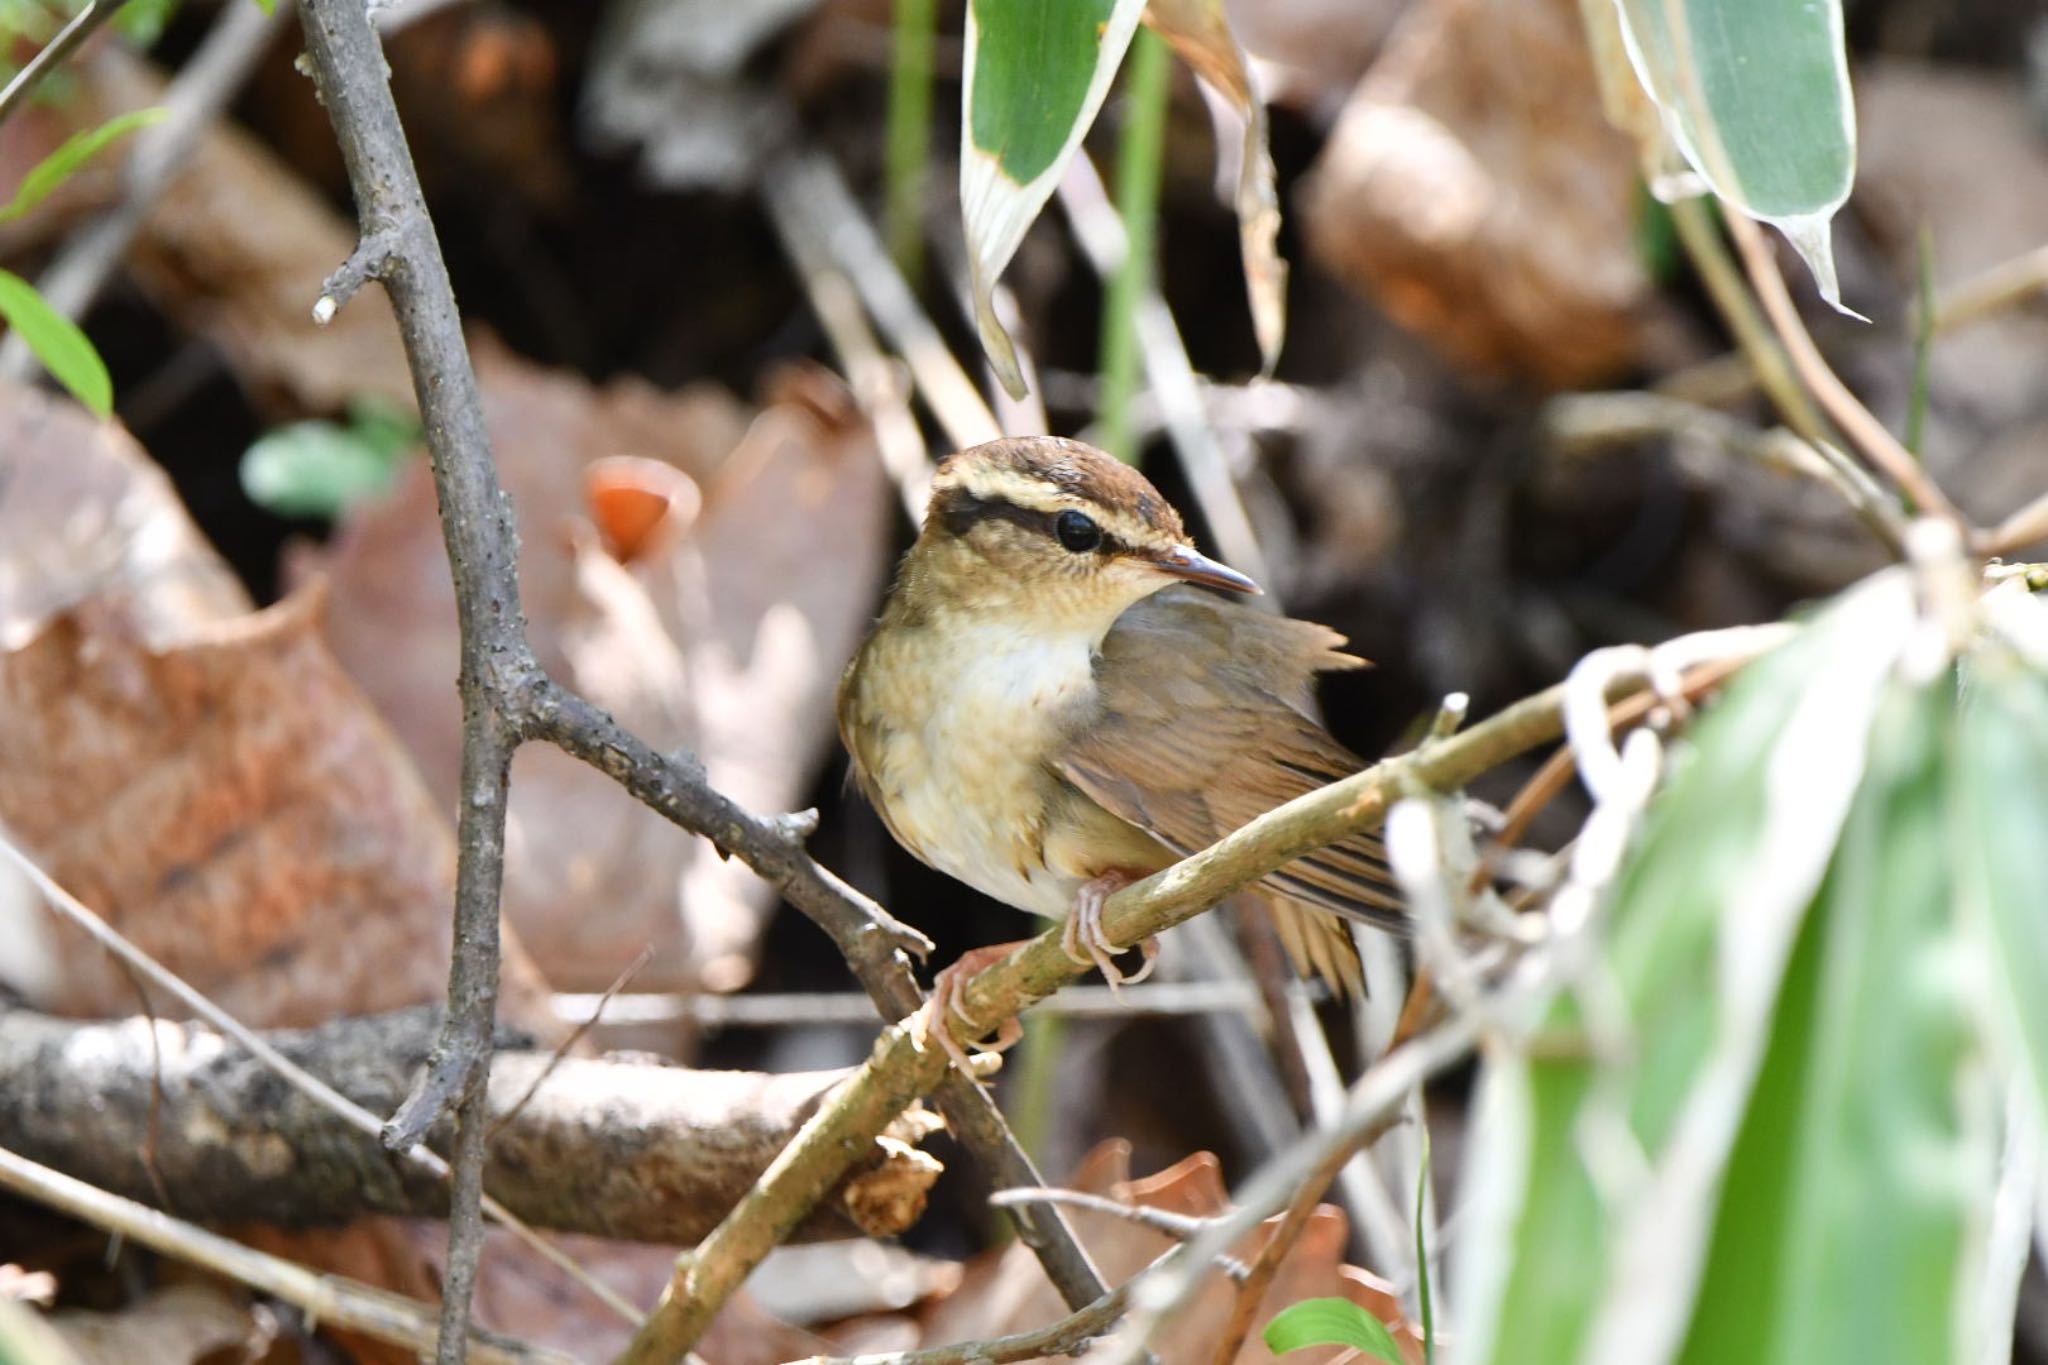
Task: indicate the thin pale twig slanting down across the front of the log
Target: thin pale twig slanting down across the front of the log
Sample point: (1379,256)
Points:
(353,1114)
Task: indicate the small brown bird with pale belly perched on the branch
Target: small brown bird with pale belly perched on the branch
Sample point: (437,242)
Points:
(1048,711)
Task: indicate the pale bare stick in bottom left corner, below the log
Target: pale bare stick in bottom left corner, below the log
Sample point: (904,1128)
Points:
(325,1298)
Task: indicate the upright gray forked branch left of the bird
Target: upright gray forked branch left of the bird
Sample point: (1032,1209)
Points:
(507,699)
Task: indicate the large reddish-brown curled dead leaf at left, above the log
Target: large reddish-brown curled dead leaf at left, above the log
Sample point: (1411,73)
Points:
(234,807)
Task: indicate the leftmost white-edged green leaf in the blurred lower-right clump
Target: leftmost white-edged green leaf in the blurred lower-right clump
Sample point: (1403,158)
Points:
(1699,932)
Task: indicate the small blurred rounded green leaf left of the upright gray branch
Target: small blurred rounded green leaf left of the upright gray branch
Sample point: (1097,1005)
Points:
(318,470)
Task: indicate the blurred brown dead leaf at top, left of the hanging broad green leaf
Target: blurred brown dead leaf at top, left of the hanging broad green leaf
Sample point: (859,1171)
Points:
(1478,193)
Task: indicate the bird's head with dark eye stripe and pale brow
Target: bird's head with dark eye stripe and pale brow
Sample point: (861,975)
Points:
(1058,531)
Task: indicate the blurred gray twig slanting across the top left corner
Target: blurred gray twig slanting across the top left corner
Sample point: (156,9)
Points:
(196,99)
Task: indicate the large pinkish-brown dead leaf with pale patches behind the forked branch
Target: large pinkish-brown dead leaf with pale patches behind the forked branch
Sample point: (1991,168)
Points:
(724,635)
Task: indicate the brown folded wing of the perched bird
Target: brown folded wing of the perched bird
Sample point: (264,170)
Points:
(1203,728)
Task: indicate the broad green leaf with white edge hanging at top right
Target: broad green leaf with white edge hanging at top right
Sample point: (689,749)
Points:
(1756,97)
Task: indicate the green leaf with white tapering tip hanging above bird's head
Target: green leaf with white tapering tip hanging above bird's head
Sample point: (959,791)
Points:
(1035,77)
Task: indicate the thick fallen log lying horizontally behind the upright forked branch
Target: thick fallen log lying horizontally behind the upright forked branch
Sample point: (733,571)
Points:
(177,1116)
